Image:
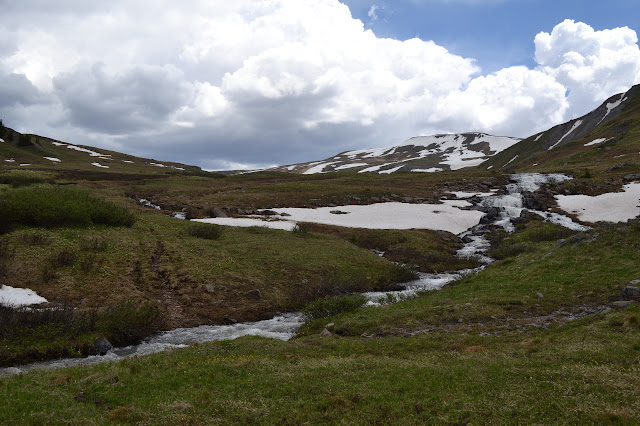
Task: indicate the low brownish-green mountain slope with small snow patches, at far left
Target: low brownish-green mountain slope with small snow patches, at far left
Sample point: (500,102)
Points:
(27,151)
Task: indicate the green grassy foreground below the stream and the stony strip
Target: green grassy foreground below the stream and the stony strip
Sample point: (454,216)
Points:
(586,372)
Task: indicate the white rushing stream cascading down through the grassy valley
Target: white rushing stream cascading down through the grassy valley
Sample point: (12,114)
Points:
(509,206)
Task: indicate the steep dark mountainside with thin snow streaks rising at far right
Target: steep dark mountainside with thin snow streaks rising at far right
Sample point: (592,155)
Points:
(606,135)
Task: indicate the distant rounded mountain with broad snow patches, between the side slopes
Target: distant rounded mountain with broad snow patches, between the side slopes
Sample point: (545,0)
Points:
(418,154)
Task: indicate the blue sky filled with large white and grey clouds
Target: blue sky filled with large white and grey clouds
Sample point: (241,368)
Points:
(255,83)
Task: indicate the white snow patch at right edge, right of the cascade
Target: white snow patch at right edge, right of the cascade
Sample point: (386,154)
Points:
(611,207)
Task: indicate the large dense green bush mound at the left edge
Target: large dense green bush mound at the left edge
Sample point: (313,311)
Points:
(51,206)
